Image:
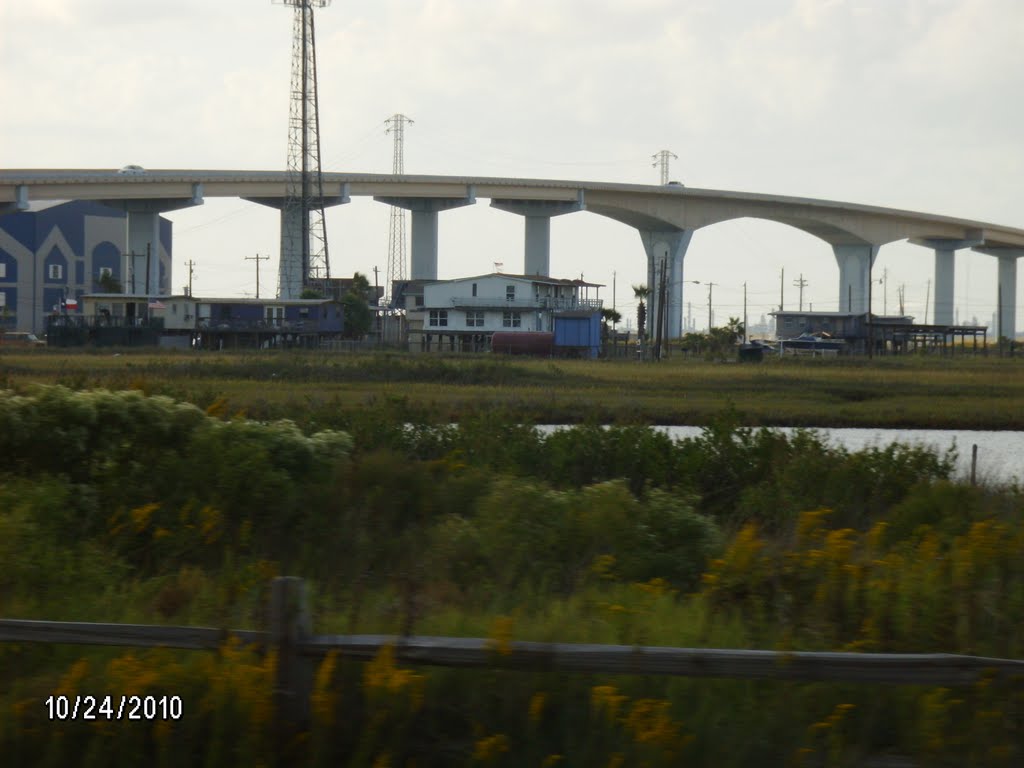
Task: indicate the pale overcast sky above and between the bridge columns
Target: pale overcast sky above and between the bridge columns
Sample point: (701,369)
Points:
(911,104)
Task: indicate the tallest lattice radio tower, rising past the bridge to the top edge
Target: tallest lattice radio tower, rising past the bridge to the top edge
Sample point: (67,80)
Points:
(305,260)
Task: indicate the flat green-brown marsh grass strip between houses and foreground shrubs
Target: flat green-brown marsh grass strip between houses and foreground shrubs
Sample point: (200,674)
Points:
(926,393)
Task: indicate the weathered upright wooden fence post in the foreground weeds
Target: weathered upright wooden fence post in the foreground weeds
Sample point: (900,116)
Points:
(290,626)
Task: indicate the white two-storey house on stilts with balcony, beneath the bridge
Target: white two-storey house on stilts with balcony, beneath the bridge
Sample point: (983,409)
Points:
(464,314)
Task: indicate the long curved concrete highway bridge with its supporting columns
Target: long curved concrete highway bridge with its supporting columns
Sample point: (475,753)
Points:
(666,218)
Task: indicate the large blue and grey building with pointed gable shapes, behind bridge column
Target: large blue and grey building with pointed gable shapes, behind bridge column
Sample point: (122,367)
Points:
(54,253)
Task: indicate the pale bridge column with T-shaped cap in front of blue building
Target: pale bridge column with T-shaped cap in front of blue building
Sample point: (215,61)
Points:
(146,258)
